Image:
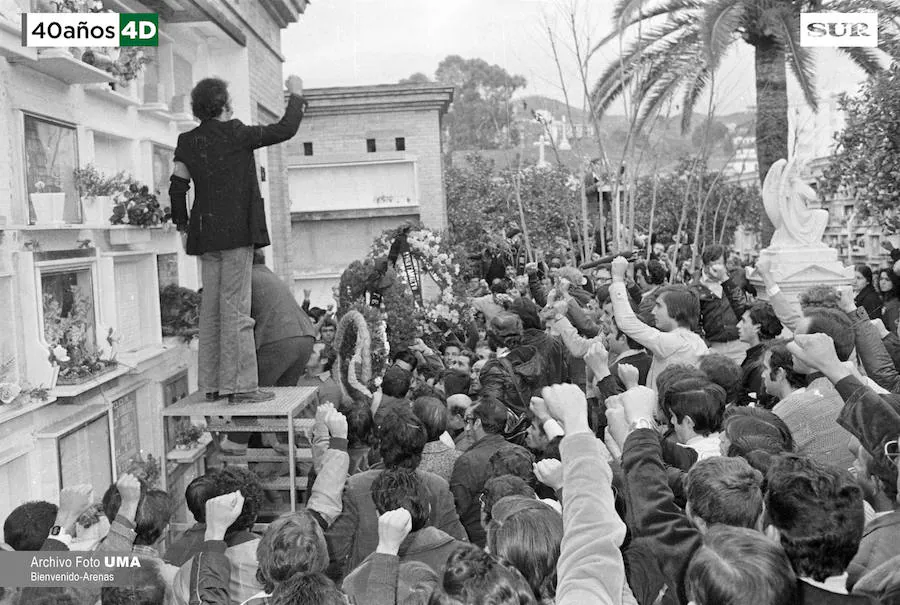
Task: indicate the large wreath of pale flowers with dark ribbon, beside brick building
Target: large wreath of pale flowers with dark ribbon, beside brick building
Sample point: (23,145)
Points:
(434,257)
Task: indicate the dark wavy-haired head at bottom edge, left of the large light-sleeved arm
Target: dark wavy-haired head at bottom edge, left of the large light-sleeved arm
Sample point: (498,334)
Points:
(473,576)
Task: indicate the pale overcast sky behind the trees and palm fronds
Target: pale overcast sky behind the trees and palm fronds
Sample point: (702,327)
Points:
(359,42)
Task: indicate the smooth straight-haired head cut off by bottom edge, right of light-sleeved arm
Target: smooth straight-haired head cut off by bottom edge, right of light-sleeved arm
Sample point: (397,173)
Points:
(739,566)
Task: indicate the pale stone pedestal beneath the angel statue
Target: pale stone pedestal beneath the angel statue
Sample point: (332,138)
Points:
(795,269)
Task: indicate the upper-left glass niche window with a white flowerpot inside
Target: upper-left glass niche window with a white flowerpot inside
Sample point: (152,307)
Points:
(51,156)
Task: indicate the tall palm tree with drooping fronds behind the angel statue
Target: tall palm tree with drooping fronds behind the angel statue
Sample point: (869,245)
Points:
(679,45)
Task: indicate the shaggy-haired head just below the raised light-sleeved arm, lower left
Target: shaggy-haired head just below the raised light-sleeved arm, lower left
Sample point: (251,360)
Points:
(293,544)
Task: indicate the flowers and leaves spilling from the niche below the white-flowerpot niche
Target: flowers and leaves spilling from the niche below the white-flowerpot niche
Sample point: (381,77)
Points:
(68,340)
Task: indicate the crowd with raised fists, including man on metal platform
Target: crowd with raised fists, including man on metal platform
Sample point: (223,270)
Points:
(635,432)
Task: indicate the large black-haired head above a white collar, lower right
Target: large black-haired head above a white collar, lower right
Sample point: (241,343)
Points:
(816,512)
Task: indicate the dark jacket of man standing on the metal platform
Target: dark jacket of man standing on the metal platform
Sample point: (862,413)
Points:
(228,210)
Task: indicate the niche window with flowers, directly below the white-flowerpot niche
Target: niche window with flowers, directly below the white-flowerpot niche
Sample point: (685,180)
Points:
(69,318)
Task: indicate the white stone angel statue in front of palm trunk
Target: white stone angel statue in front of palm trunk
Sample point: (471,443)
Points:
(785,198)
